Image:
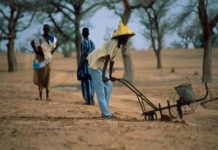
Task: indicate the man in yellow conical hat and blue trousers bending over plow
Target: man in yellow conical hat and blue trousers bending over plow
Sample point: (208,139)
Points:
(98,61)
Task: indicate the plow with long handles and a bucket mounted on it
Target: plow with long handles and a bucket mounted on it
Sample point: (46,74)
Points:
(150,110)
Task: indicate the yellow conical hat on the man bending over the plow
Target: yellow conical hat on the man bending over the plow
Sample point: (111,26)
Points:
(123,30)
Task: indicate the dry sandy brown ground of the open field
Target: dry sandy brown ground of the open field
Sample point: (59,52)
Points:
(64,123)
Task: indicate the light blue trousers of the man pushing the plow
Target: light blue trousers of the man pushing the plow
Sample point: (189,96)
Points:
(103,91)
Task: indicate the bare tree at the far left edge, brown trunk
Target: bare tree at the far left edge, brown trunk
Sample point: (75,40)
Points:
(12,21)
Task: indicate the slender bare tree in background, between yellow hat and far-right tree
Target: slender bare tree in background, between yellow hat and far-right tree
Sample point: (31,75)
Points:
(156,26)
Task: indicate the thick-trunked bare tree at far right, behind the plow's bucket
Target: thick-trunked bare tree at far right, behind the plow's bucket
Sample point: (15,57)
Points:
(207,14)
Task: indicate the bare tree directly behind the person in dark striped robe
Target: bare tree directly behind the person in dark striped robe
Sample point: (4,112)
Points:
(74,11)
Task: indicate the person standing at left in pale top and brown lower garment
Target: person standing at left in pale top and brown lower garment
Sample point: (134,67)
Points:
(44,46)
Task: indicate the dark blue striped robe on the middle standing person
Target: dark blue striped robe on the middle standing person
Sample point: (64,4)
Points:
(87,86)
